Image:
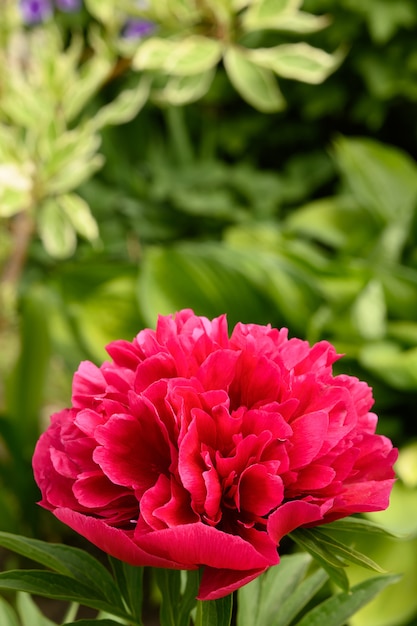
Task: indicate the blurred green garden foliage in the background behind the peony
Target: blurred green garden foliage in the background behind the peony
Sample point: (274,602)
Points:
(253,157)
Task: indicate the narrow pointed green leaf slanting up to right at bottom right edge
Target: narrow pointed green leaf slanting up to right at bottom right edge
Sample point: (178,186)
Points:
(335,611)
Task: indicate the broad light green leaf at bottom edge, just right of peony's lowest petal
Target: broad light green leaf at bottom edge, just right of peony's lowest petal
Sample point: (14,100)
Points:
(260,600)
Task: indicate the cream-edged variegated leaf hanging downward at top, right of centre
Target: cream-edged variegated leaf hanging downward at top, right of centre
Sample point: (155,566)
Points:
(257,85)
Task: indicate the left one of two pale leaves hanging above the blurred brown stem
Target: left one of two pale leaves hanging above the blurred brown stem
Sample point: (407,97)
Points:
(55,230)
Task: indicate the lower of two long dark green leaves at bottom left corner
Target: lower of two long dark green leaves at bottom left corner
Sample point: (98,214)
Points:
(58,587)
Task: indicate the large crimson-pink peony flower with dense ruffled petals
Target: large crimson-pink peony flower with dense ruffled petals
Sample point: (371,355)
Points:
(195,449)
